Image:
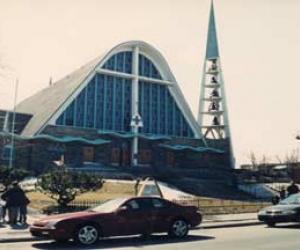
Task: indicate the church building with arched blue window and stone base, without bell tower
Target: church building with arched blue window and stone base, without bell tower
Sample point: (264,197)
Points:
(123,109)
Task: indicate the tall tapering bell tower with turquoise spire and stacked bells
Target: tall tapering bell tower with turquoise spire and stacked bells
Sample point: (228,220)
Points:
(213,115)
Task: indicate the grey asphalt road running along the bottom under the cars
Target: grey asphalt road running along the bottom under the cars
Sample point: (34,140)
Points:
(251,237)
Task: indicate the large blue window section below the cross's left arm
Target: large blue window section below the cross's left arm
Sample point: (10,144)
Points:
(109,108)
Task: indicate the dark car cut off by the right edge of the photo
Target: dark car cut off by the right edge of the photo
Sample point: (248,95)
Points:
(287,210)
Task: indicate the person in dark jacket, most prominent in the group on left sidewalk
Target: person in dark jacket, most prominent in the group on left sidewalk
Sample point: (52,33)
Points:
(14,198)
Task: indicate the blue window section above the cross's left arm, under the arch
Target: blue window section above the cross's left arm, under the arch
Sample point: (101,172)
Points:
(121,62)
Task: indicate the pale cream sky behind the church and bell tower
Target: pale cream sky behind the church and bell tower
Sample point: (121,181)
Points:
(259,42)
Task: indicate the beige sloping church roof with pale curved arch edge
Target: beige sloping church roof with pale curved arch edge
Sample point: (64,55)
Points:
(49,101)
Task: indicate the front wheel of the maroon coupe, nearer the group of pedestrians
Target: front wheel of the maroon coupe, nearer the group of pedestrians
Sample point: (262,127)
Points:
(87,234)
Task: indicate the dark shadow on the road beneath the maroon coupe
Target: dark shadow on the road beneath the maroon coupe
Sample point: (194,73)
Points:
(123,242)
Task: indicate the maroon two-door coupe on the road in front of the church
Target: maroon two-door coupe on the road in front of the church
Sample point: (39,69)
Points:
(118,217)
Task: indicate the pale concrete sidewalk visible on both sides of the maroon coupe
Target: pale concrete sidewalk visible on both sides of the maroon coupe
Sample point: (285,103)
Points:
(21,233)
